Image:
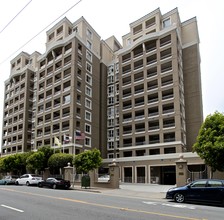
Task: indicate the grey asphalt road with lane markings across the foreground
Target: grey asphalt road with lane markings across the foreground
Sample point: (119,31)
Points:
(22,203)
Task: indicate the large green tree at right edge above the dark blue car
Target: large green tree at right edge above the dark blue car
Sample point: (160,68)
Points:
(210,142)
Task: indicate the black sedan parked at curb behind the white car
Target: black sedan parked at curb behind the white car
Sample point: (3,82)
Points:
(55,183)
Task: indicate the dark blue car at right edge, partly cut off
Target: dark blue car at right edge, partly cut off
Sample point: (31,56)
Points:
(204,190)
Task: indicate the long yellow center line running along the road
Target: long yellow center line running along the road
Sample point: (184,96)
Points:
(105,206)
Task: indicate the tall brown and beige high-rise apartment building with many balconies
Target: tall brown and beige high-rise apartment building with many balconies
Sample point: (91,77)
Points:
(140,103)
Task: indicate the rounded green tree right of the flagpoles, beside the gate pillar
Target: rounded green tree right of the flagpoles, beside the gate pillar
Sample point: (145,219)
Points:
(87,161)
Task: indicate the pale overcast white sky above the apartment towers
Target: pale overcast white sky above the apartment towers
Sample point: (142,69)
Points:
(112,17)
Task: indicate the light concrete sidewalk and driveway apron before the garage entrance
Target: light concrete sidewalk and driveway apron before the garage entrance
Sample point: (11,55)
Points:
(147,191)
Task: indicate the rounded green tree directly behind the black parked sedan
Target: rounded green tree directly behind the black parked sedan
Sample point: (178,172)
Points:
(59,160)
